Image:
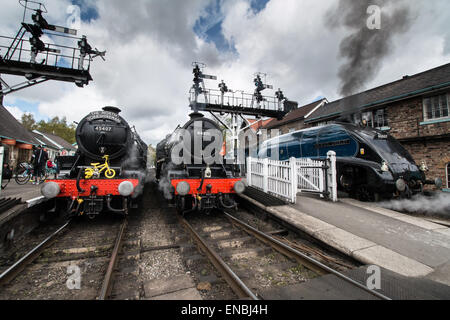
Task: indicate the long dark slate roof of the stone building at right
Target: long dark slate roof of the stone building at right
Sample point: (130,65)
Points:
(420,83)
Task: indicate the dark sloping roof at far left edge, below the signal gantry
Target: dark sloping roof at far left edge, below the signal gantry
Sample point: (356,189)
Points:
(10,128)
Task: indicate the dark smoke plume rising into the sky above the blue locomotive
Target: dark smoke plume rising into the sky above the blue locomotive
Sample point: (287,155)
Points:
(364,49)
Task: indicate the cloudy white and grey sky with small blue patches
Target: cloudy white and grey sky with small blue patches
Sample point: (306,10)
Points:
(151,44)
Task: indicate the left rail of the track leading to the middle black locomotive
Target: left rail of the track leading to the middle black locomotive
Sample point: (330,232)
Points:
(238,286)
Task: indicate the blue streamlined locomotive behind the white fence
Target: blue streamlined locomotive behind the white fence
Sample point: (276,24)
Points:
(370,163)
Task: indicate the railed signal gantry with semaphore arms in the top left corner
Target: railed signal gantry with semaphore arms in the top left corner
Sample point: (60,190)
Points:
(19,56)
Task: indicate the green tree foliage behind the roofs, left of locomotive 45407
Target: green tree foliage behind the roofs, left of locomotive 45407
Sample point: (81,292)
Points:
(56,126)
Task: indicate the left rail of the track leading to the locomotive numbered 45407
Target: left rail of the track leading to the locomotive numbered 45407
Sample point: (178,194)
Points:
(17,267)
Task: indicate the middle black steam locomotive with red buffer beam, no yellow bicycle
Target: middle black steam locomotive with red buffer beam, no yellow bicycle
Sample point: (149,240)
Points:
(195,183)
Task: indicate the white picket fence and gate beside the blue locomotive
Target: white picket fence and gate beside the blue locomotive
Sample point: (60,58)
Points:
(285,179)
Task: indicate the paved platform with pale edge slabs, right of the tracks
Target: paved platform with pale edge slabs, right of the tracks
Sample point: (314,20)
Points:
(408,246)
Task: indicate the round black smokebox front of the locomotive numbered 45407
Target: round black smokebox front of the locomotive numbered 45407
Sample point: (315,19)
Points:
(104,133)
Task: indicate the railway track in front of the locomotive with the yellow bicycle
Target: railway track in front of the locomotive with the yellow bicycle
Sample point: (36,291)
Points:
(80,244)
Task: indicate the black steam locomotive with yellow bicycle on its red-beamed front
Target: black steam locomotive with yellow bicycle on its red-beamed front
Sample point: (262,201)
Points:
(108,171)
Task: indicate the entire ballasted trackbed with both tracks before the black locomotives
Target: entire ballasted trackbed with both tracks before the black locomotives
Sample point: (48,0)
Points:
(154,255)
